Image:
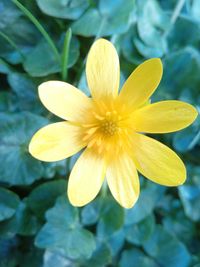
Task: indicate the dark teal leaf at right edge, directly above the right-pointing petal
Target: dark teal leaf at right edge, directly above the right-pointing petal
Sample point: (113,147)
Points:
(188,60)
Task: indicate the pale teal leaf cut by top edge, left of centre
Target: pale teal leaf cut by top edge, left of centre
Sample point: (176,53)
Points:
(63,8)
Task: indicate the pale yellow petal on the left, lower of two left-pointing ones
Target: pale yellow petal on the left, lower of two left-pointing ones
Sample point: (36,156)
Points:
(56,141)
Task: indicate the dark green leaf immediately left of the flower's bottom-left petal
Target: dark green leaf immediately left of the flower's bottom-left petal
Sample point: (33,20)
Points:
(44,196)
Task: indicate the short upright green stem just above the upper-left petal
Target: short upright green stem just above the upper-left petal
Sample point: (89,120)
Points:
(65,54)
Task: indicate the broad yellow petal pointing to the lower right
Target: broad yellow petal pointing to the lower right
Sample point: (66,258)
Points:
(157,161)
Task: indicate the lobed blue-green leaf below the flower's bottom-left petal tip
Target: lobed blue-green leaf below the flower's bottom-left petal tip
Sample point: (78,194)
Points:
(63,231)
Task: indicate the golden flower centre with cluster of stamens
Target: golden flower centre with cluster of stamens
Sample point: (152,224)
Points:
(107,129)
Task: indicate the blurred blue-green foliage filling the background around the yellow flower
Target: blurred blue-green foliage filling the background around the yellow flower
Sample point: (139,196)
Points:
(38,226)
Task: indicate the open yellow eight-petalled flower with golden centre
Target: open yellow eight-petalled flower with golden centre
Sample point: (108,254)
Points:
(111,125)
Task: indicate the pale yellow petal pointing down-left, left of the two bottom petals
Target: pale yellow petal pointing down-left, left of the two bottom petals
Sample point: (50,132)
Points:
(86,178)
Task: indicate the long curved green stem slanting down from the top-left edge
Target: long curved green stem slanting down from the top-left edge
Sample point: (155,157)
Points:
(39,27)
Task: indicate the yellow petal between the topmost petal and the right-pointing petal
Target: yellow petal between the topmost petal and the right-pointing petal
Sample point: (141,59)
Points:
(142,83)
